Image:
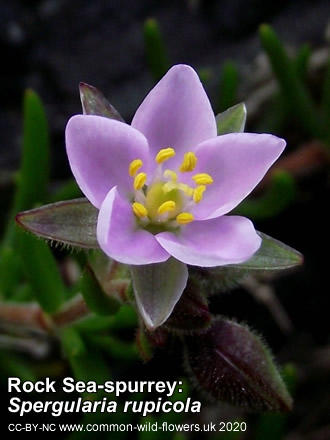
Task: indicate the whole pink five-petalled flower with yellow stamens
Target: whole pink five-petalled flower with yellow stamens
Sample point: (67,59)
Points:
(164,183)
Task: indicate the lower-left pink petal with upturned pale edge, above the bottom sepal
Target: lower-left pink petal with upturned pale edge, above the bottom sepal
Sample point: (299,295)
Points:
(120,238)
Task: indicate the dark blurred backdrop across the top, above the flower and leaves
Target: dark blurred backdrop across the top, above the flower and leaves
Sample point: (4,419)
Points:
(52,45)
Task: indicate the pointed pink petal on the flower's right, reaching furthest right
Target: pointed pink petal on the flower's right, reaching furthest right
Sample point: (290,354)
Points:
(237,162)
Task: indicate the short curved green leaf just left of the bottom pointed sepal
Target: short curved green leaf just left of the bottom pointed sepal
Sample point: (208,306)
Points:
(96,299)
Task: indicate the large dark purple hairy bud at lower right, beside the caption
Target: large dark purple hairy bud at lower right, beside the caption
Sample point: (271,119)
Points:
(231,363)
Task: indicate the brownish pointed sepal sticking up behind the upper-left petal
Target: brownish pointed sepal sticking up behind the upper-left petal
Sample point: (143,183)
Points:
(94,103)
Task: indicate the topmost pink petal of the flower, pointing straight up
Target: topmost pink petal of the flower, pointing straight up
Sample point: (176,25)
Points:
(176,113)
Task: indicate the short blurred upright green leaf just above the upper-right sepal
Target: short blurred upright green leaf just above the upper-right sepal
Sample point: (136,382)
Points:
(228,85)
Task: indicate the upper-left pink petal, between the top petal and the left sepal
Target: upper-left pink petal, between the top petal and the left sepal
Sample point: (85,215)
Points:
(100,151)
